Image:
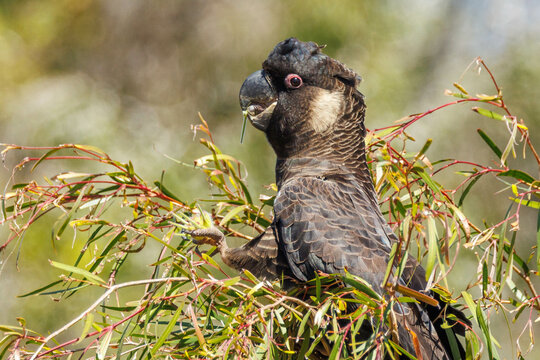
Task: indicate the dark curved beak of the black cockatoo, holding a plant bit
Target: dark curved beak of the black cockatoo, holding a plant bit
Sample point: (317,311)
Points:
(258,99)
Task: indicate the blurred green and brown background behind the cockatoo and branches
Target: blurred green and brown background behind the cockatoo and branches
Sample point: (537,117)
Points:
(130,76)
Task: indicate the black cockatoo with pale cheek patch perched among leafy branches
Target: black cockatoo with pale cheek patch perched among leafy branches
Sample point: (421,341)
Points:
(327,216)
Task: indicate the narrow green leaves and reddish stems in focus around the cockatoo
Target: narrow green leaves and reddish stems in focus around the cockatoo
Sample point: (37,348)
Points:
(191,306)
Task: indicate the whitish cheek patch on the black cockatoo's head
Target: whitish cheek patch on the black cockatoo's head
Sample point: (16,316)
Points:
(325,109)
